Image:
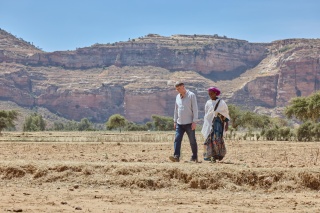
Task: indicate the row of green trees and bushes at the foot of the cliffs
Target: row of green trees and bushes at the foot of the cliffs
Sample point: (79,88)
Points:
(305,110)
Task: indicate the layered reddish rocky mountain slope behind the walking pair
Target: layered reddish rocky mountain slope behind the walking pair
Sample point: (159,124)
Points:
(135,78)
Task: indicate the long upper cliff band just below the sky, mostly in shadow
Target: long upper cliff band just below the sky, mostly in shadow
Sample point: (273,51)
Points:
(204,54)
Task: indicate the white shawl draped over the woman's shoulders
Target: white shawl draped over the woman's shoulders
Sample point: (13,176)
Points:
(210,114)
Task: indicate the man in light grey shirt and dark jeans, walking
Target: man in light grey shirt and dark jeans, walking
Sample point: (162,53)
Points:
(185,118)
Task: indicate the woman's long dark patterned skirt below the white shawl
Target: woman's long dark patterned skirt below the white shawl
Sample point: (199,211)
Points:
(214,147)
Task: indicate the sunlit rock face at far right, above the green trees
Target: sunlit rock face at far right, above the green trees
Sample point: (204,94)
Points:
(296,73)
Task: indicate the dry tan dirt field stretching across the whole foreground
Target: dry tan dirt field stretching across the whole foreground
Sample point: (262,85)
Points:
(131,172)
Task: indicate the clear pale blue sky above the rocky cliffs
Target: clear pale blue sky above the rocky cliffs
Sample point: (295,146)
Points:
(67,24)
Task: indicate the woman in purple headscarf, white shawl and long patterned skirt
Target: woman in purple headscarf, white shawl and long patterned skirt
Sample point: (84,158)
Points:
(215,123)
